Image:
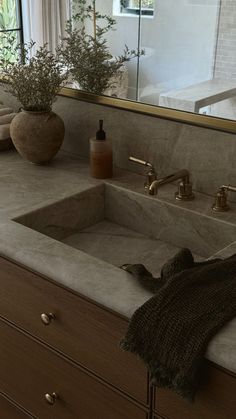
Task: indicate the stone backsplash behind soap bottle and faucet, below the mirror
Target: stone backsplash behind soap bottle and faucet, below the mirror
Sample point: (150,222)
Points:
(208,154)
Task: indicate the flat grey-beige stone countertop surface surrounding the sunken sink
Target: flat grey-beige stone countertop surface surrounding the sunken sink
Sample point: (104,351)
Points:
(25,187)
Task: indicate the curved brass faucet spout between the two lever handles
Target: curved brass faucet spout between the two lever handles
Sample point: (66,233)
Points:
(185,186)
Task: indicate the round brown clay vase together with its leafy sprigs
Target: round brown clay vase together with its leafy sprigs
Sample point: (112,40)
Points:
(36,131)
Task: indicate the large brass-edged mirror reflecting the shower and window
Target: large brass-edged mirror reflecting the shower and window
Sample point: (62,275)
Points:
(179,54)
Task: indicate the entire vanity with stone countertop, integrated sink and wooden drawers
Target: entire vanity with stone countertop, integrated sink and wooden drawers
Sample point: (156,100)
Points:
(64,309)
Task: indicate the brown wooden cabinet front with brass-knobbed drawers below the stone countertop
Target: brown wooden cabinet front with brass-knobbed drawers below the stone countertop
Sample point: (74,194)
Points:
(73,367)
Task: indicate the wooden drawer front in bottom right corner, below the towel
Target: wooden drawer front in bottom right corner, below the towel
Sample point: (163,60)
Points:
(214,400)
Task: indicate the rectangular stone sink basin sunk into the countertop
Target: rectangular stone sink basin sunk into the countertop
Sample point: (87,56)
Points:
(120,226)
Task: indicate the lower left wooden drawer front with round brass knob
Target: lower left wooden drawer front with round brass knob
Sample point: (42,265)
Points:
(29,370)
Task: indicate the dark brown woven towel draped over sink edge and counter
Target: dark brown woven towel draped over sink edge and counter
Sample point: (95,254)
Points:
(171,331)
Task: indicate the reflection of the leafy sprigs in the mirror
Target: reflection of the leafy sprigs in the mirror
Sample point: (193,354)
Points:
(87,56)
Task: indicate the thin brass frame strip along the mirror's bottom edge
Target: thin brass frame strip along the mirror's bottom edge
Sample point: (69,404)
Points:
(220,124)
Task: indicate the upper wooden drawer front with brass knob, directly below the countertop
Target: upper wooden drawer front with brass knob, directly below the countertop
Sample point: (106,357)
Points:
(83,330)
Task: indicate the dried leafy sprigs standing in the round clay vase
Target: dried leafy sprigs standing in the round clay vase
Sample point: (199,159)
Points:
(35,81)
